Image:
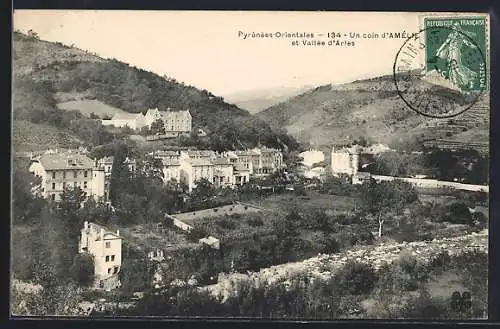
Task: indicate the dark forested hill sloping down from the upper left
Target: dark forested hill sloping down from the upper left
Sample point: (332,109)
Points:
(47,73)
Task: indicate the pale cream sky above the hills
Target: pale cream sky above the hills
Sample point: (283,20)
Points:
(204,49)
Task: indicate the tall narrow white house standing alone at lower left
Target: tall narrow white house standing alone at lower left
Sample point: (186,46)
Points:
(106,249)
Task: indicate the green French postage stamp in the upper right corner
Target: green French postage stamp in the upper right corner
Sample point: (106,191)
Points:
(456,48)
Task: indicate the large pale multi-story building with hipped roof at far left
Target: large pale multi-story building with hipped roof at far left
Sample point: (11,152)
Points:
(58,171)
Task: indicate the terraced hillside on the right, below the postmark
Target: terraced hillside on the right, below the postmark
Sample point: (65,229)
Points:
(370,108)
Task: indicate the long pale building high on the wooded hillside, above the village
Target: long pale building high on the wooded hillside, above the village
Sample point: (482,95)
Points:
(175,121)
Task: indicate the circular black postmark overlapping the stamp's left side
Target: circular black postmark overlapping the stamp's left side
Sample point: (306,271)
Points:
(440,72)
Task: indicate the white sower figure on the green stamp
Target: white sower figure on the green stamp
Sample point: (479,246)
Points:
(451,50)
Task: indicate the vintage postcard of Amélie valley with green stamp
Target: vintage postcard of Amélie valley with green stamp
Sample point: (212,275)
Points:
(276,165)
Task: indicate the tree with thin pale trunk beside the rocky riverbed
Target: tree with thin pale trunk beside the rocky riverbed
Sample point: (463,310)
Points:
(379,199)
